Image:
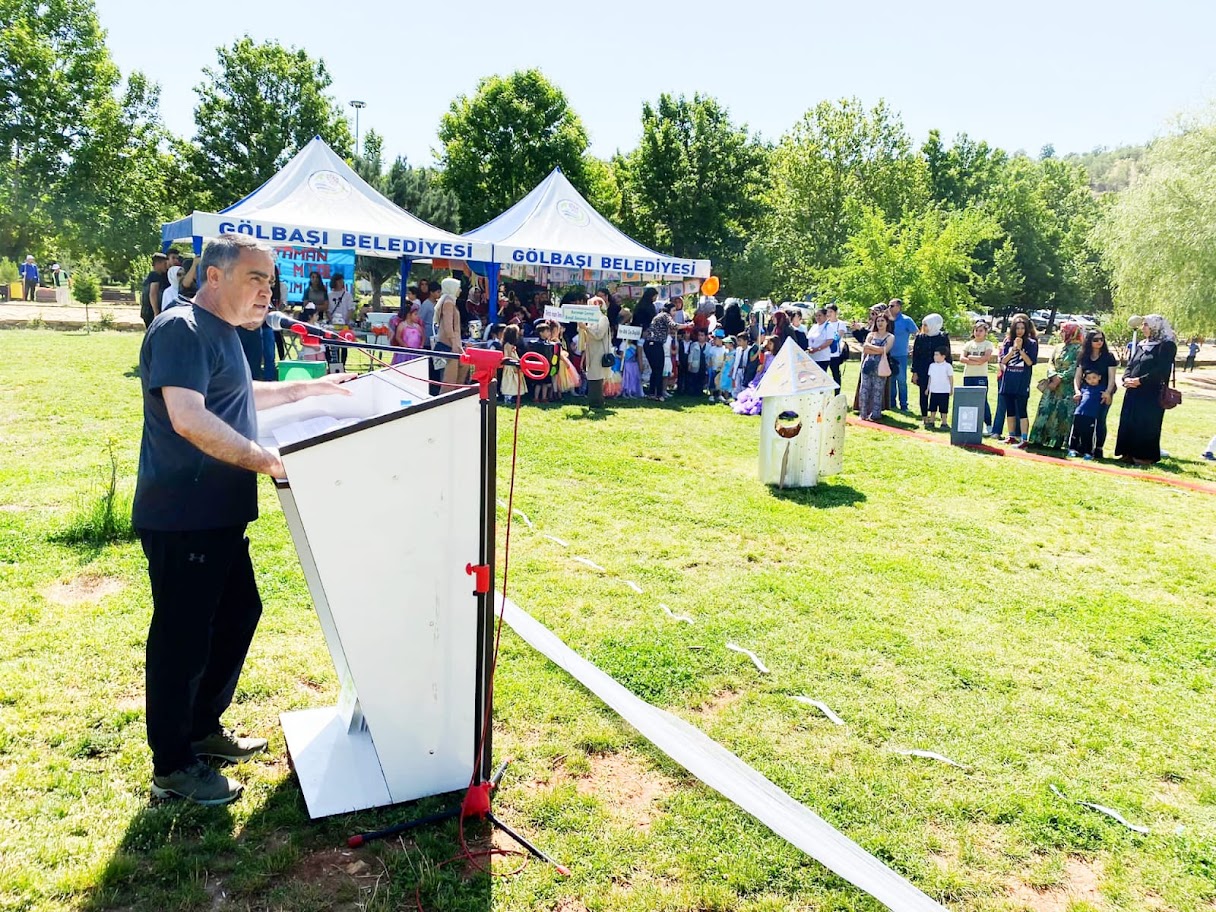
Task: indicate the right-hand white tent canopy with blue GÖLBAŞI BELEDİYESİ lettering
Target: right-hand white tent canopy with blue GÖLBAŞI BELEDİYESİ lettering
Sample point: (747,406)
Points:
(555,227)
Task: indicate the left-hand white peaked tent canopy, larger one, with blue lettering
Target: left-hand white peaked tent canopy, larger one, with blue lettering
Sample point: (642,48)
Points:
(319,201)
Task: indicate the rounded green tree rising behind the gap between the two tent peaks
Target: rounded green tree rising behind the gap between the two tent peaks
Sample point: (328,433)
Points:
(505,139)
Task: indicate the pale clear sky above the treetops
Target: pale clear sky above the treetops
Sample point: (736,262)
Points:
(1074,75)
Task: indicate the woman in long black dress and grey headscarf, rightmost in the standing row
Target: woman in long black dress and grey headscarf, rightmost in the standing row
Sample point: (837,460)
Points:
(1149,371)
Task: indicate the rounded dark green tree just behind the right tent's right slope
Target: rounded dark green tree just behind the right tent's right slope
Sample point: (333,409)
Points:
(695,185)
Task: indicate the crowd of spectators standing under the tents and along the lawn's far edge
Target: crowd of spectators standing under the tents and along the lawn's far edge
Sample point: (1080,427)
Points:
(658,350)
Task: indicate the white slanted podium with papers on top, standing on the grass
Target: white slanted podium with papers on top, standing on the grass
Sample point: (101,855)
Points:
(385,504)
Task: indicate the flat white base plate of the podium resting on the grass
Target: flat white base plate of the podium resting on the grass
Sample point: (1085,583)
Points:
(337,769)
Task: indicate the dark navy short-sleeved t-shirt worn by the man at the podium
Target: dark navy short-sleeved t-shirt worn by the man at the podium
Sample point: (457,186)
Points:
(179,487)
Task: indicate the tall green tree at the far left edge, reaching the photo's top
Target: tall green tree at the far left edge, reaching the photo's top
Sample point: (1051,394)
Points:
(83,165)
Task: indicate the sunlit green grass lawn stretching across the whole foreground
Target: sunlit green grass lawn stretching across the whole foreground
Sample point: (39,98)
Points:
(1038,624)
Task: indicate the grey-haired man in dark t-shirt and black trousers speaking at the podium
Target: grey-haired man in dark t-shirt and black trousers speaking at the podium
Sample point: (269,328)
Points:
(195,496)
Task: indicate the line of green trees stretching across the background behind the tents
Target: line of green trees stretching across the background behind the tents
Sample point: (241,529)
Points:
(845,207)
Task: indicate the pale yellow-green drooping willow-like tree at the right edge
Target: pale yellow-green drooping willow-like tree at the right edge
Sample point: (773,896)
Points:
(1161,234)
